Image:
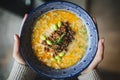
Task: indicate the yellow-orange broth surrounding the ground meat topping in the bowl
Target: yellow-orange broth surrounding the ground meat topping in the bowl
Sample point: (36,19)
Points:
(76,48)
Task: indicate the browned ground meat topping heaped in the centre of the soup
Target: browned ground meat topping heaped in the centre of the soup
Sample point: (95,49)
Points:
(59,39)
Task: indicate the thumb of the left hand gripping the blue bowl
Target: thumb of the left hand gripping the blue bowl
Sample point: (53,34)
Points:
(16,54)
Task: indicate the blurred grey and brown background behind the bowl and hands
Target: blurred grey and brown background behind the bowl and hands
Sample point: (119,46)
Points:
(107,13)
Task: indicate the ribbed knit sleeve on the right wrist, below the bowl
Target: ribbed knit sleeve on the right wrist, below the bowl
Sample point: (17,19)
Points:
(92,75)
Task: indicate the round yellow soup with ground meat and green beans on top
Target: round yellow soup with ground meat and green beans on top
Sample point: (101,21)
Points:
(59,39)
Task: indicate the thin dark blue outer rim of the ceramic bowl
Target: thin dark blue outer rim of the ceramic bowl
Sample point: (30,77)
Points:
(30,14)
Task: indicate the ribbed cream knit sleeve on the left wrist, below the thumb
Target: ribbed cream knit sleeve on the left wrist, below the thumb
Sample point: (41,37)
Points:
(21,72)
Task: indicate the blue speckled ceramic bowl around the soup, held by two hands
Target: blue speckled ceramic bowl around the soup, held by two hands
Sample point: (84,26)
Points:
(39,67)
